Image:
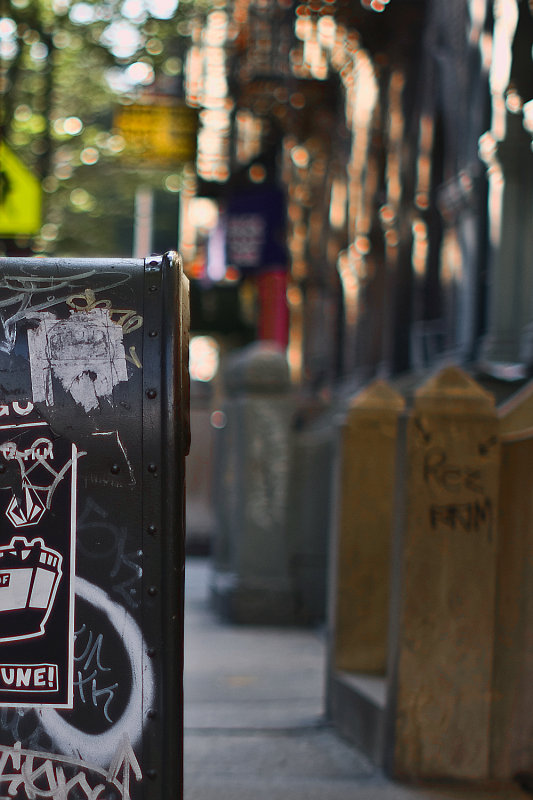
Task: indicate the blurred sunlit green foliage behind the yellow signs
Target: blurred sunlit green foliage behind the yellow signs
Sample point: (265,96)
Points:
(64,68)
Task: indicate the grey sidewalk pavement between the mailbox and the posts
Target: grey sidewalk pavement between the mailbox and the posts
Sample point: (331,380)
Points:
(254,725)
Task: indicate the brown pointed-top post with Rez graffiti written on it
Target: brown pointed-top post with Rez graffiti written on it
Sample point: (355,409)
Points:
(443,590)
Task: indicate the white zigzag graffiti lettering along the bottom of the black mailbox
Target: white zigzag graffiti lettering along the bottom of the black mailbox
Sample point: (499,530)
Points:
(43,774)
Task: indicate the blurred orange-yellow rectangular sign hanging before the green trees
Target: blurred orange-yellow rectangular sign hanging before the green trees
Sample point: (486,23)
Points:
(165,133)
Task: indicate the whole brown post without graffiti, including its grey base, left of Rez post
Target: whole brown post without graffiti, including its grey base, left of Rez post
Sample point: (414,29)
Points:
(359,590)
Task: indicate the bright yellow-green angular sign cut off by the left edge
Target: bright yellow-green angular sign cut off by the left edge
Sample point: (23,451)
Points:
(20,196)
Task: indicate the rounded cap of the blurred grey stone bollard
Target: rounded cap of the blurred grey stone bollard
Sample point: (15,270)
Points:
(258,368)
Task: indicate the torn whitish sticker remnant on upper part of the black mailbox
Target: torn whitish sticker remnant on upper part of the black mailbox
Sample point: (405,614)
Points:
(84,352)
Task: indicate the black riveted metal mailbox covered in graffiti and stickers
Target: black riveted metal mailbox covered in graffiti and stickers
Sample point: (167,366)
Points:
(93,435)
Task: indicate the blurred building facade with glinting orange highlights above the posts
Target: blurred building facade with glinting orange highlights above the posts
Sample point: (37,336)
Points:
(393,132)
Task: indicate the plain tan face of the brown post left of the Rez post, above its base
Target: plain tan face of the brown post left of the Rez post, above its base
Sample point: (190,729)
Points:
(364,534)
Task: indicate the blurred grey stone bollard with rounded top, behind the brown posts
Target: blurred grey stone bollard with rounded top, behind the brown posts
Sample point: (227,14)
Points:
(250,582)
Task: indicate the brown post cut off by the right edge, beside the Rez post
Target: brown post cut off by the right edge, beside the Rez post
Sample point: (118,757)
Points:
(512,710)
